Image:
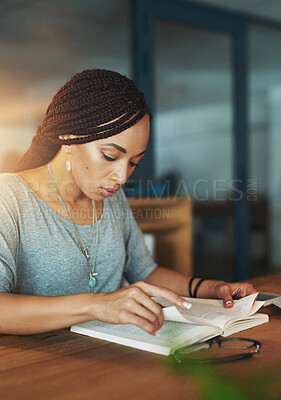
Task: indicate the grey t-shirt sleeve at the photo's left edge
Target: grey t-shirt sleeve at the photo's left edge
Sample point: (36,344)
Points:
(8,244)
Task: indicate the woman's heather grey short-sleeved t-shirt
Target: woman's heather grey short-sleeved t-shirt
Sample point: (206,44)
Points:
(40,255)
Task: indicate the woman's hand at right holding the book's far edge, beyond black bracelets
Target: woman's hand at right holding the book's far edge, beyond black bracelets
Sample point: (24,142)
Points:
(231,291)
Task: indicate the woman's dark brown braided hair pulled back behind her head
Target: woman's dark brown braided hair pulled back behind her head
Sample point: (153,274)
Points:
(94,104)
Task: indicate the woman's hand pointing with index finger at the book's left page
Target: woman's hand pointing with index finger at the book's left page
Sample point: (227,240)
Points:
(133,305)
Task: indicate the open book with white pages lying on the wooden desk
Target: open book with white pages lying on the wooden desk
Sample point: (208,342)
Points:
(205,320)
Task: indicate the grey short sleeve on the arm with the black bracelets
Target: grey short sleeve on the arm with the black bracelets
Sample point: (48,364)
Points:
(139,262)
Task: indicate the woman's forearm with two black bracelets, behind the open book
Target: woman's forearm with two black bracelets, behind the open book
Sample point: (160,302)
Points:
(179,283)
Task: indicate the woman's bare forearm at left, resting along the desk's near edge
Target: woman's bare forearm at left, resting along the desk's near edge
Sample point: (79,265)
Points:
(23,315)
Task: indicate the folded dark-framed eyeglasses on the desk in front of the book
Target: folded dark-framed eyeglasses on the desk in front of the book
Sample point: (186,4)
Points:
(233,349)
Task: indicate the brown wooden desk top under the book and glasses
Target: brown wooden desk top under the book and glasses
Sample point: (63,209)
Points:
(63,365)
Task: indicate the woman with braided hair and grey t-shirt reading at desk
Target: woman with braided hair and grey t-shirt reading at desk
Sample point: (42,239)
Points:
(67,235)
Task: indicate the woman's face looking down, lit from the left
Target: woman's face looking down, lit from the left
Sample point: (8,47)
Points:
(101,167)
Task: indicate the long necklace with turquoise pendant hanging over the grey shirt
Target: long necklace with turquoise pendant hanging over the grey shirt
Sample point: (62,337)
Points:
(84,247)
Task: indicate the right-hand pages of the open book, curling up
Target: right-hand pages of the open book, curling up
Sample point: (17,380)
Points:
(212,312)
